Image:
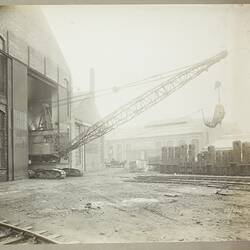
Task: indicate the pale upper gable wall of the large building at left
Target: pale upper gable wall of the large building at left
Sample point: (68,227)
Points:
(27,26)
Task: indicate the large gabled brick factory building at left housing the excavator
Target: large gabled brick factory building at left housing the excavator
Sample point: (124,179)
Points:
(33,73)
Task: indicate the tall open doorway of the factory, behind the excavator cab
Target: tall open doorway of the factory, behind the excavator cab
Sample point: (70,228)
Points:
(42,119)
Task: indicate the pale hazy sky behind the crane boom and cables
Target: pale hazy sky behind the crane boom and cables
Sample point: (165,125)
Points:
(125,43)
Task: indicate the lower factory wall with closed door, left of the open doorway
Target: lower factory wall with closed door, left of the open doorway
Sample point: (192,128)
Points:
(14,129)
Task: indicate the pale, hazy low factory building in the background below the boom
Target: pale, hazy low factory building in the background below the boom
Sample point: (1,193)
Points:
(145,143)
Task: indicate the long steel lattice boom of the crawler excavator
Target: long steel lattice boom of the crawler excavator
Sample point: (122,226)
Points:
(142,103)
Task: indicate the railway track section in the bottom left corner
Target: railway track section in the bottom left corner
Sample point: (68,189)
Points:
(11,234)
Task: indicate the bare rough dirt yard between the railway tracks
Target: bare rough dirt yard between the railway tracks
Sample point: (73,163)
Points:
(103,207)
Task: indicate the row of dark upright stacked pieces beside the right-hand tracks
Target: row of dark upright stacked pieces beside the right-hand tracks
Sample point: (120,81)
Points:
(182,160)
